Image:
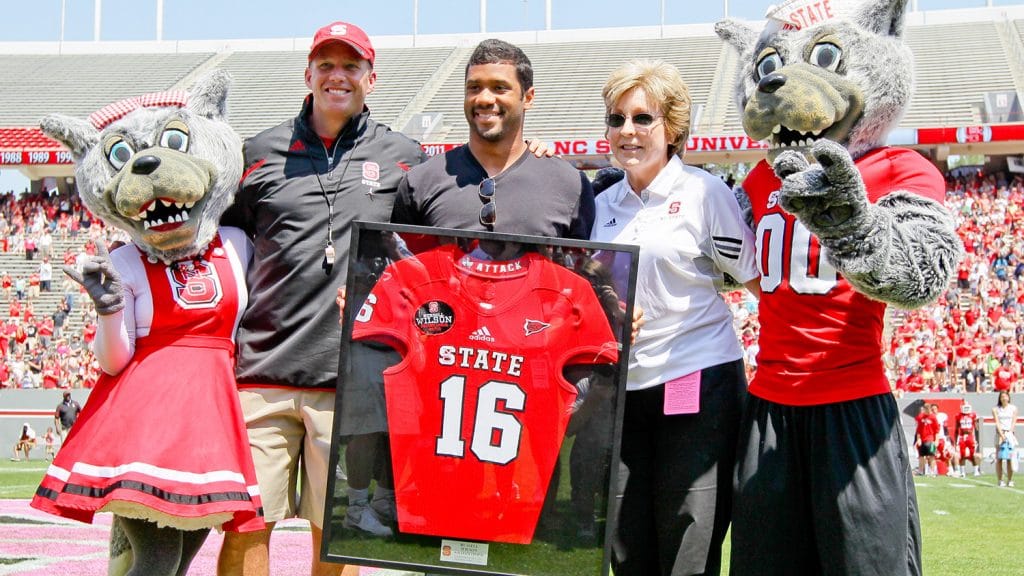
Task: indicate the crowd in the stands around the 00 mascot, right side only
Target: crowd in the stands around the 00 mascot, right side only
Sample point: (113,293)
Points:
(973,339)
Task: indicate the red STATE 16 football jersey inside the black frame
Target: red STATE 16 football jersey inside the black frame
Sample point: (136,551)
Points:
(479,406)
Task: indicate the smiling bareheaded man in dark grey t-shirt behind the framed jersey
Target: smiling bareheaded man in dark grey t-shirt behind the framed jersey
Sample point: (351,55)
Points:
(493,183)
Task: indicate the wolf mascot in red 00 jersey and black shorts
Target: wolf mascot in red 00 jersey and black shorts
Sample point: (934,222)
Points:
(845,227)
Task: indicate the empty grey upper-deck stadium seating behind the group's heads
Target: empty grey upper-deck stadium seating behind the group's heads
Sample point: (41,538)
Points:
(956,64)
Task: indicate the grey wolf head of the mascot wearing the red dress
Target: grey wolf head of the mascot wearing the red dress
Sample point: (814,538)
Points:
(163,168)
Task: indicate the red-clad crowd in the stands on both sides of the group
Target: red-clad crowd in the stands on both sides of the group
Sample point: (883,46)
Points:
(971,341)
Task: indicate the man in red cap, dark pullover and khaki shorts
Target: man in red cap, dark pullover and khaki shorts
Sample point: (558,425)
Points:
(305,181)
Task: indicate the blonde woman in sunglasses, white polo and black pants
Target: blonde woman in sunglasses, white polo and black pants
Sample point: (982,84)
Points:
(687,382)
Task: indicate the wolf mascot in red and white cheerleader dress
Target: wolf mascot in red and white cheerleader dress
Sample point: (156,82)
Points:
(161,443)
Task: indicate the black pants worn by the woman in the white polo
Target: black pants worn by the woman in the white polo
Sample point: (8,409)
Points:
(676,479)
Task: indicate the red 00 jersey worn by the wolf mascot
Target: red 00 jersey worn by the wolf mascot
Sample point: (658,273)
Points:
(822,341)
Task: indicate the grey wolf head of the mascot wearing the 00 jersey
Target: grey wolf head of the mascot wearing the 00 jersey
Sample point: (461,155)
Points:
(820,70)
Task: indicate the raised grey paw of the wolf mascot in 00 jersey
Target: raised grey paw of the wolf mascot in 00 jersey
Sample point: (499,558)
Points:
(825,196)
